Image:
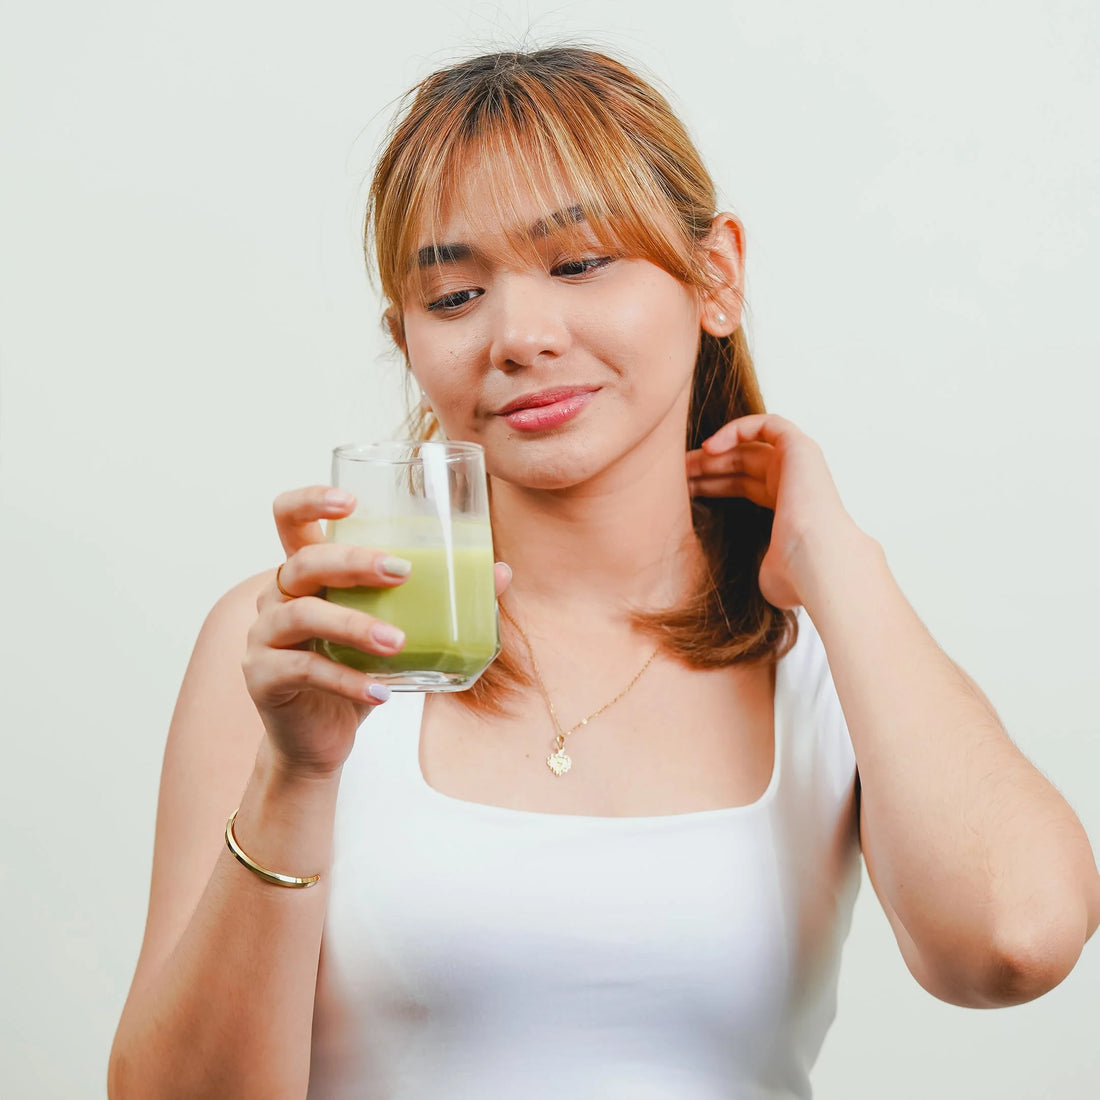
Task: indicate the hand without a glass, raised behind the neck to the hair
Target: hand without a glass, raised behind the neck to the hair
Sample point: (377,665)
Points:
(772,463)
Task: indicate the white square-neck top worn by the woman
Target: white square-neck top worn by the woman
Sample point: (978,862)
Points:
(480,953)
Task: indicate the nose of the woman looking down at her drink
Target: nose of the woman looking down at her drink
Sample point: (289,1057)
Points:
(527,323)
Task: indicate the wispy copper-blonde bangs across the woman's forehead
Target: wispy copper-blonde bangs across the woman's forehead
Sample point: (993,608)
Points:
(553,151)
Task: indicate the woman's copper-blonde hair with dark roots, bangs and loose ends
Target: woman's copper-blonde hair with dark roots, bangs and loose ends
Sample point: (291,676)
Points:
(589,135)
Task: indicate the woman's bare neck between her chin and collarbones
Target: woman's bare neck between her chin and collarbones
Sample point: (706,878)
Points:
(623,541)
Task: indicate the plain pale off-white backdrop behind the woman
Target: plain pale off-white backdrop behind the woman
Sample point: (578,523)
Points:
(186,329)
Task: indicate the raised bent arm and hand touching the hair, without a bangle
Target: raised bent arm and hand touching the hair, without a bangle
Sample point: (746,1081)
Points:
(984,871)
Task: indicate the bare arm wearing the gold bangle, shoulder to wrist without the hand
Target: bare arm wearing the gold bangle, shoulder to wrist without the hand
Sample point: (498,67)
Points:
(223,998)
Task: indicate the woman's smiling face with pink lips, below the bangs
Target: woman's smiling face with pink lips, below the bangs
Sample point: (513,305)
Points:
(562,360)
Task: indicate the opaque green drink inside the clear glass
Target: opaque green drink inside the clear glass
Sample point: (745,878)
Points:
(447,607)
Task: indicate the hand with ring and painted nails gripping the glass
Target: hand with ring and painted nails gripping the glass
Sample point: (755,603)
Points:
(310,705)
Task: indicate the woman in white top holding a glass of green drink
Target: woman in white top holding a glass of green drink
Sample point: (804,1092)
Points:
(661,911)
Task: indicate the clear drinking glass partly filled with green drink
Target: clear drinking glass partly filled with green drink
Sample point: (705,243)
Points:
(427,503)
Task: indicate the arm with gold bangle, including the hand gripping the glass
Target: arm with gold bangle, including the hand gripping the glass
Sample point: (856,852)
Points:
(223,999)
